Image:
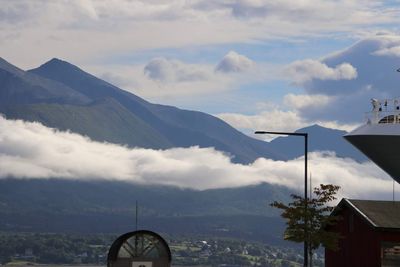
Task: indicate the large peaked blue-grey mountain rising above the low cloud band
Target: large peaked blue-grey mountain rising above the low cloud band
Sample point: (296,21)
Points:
(60,95)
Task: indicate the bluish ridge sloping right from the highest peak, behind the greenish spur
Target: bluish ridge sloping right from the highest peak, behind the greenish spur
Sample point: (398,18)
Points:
(175,124)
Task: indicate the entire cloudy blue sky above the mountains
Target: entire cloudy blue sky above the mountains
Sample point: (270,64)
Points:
(253,63)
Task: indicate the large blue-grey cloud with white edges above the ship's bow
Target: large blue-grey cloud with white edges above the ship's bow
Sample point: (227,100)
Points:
(375,60)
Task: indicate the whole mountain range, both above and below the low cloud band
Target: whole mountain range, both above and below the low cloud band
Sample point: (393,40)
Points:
(61,95)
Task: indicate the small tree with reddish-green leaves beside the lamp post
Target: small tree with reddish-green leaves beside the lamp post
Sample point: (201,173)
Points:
(318,217)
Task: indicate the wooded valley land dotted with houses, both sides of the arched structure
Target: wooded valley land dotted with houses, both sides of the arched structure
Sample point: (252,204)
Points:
(55,249)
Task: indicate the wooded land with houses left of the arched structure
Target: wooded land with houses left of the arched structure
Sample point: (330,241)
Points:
(53,248)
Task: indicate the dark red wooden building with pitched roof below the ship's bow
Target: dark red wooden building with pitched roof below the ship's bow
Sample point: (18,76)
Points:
(370,233)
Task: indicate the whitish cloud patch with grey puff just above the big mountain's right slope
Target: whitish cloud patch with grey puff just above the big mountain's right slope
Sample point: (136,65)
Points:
(180,81)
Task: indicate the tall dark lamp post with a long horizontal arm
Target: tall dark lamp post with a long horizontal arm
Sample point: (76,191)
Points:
(305,135)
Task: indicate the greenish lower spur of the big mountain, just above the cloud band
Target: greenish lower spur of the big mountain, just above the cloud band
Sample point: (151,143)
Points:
(103,120)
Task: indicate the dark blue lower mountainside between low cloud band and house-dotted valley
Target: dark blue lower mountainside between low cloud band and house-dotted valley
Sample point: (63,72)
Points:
(59,205)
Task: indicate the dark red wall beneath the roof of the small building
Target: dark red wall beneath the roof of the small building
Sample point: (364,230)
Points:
(360,247)
